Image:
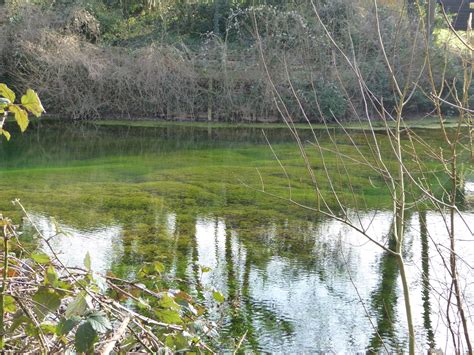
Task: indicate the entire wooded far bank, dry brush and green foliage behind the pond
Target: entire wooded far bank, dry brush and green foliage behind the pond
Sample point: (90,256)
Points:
(203,60)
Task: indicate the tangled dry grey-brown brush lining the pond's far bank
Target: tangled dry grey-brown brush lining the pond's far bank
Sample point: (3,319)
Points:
(221,77)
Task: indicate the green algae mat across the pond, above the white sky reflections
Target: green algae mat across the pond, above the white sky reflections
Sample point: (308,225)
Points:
(115,173)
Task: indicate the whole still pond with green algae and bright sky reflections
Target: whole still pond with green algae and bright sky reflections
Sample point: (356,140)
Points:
(188,196)
